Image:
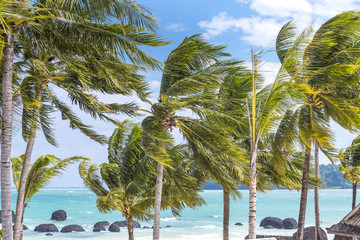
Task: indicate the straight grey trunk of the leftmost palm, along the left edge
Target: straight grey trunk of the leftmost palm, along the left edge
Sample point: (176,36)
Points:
(6,136)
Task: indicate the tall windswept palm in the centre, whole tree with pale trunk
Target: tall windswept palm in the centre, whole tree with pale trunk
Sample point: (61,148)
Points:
(192,74)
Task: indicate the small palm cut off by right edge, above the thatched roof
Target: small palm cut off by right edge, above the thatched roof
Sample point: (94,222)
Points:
(350,166)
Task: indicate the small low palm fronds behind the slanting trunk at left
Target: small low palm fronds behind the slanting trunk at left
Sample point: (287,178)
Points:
(41,172)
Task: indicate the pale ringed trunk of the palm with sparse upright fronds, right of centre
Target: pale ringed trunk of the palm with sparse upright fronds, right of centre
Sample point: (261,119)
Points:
(252,194)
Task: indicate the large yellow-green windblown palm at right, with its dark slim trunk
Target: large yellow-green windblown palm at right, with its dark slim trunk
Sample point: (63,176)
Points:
(325,89)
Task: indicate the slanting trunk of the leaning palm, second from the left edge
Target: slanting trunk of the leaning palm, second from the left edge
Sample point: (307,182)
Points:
(18,228)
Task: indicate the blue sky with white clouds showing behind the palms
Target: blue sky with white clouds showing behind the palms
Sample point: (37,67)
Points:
(241,25)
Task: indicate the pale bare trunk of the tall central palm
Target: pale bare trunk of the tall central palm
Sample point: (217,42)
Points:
(157,207)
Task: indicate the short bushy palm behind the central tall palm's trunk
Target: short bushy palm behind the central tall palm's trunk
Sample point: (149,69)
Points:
(130,179)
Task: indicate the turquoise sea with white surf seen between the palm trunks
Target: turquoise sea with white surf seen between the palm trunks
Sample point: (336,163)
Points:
(203,223)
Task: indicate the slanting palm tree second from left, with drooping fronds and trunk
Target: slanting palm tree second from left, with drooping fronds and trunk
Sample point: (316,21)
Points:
(42,75)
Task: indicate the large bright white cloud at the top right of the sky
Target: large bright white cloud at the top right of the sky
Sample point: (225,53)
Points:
(262,28)
